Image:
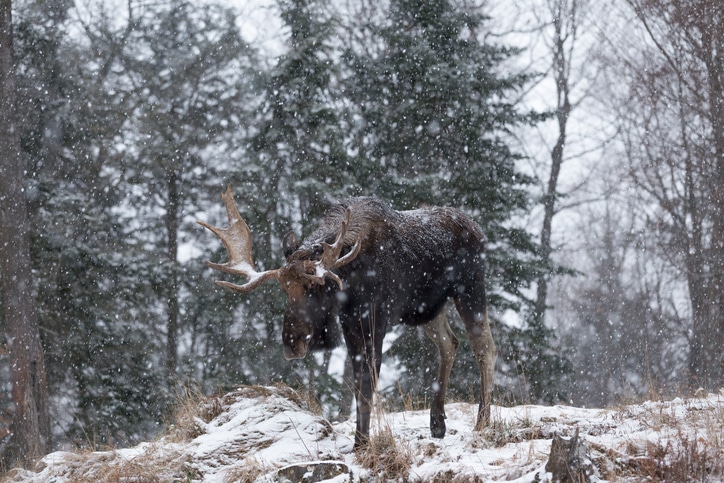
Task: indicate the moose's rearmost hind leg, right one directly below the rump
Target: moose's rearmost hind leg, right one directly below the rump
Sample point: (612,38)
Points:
(475,315)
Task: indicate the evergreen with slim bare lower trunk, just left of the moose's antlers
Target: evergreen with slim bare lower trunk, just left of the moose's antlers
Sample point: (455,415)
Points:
(184,65)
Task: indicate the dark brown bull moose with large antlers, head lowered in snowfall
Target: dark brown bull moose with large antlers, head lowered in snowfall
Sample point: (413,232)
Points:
(385,267)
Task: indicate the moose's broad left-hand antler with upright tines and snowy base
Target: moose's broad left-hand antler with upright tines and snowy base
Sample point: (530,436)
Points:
(237,240)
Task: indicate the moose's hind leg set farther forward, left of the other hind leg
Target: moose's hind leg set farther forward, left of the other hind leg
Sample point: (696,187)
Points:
(439,331)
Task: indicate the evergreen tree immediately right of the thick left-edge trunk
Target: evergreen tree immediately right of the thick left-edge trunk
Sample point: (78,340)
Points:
(98,361)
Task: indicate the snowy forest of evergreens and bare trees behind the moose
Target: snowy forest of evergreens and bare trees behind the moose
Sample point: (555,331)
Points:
(586,138)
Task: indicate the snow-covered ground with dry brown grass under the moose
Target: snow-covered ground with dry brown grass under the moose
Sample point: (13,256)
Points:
(270,434)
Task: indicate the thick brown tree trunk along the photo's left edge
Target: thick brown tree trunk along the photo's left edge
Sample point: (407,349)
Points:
(31,424)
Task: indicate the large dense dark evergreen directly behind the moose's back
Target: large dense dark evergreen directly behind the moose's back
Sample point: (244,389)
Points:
(433,112)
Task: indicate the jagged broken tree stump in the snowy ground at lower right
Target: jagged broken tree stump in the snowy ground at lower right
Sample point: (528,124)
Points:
(569,461)
